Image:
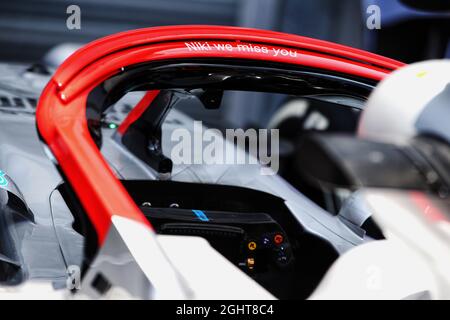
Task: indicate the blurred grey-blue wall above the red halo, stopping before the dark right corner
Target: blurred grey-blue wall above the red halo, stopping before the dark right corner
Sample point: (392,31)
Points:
(29,28)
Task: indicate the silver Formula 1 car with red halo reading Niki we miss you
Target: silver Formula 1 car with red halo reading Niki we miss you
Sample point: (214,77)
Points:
(94,204)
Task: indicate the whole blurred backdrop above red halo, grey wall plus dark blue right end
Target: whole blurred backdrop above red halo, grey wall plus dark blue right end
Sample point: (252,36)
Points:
(29,28)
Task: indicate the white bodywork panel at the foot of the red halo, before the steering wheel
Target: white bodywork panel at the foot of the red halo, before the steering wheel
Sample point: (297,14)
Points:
(166,267)
